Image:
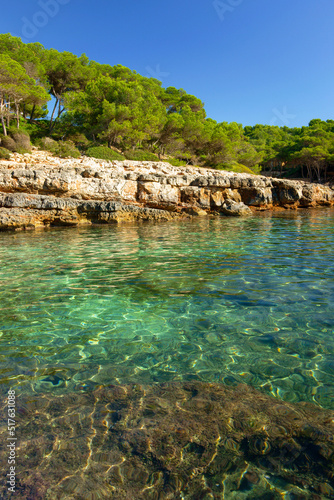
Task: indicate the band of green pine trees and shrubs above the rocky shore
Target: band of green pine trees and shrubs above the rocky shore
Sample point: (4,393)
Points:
(112,113)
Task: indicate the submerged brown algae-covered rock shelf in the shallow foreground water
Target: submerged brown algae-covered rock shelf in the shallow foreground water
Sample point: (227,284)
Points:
(189,440)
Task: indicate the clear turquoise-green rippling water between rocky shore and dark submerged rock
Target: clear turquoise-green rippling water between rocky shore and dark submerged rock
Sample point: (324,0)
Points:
(224,300)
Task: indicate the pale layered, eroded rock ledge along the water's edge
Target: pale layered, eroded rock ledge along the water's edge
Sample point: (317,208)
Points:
(39,190)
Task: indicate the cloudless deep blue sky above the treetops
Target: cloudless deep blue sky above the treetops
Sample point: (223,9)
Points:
(249,61)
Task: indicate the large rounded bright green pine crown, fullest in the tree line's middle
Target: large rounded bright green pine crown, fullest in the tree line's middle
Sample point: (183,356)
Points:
(123,113)
